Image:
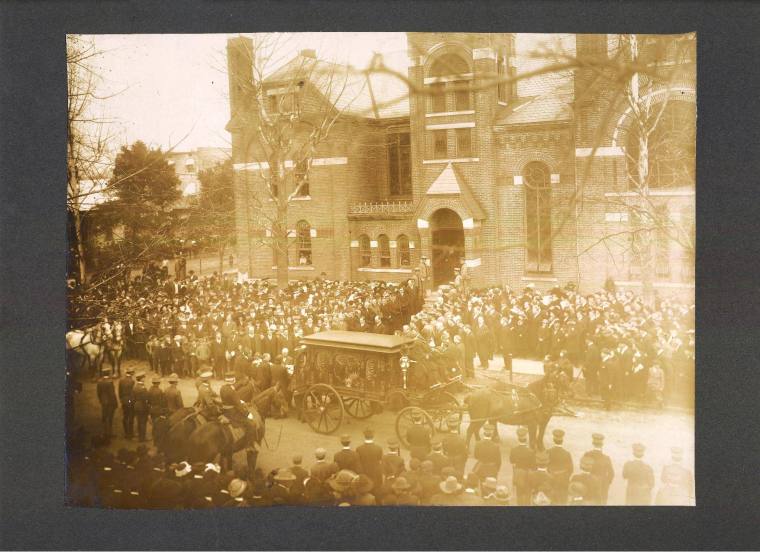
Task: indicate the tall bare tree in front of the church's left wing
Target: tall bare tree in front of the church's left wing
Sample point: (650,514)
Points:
(283,119)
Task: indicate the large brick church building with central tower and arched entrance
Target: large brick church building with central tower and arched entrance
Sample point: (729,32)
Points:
(526,182)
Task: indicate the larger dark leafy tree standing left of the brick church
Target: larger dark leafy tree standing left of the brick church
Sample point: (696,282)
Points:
(145,188)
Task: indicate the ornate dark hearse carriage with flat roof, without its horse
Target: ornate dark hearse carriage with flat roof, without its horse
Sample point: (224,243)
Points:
(361,374)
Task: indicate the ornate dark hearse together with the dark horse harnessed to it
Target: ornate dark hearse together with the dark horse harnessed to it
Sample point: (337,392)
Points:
(361,374)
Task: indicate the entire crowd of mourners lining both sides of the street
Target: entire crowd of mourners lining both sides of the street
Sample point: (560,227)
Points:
(186,327)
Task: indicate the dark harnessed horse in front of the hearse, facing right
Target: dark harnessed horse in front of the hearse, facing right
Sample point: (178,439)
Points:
(531,406)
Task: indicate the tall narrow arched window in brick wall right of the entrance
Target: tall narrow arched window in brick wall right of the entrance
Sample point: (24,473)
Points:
(538,217)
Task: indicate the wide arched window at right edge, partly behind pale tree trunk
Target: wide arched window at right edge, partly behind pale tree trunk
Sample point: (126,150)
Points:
(671,147)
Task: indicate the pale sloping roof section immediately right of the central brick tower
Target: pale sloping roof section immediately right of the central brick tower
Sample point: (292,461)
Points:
(554,106)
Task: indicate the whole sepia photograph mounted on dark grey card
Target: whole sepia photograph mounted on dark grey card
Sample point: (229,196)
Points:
(339,269)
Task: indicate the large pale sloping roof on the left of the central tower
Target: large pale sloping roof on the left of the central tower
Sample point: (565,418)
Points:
(378,96)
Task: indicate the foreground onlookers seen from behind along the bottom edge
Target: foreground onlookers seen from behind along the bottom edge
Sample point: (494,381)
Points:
(433,473)
